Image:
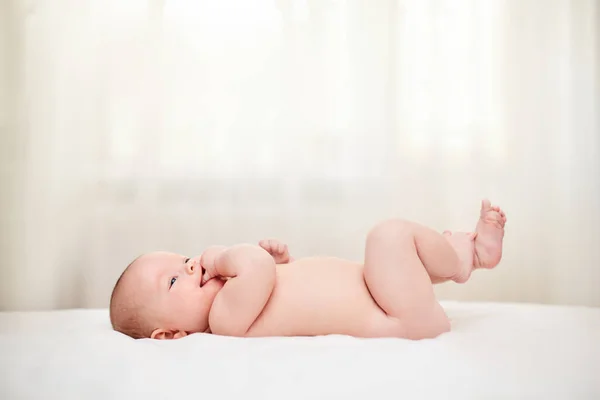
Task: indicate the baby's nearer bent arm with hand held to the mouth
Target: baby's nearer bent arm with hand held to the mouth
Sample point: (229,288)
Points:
(251,270)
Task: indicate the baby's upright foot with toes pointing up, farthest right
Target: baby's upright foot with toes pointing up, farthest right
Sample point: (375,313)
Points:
(490,232)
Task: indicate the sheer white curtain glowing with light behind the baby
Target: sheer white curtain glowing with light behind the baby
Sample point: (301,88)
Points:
(131,126)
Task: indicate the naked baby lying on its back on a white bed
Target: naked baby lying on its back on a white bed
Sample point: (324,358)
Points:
(249,291)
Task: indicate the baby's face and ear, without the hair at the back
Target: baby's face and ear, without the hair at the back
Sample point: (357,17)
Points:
(174,301)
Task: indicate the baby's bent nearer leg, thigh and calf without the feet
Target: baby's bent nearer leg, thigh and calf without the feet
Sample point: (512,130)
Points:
(400,257)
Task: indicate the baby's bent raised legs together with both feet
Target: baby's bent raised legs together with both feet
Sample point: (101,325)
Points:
(403,259)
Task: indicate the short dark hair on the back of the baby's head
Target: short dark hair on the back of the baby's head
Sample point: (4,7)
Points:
(125,311)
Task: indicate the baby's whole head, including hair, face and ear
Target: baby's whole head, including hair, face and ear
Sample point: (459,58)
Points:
(159,296)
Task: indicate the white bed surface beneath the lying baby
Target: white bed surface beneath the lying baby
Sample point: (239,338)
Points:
(495,351)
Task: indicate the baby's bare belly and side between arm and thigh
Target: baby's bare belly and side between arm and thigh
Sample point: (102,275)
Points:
(320,296)
